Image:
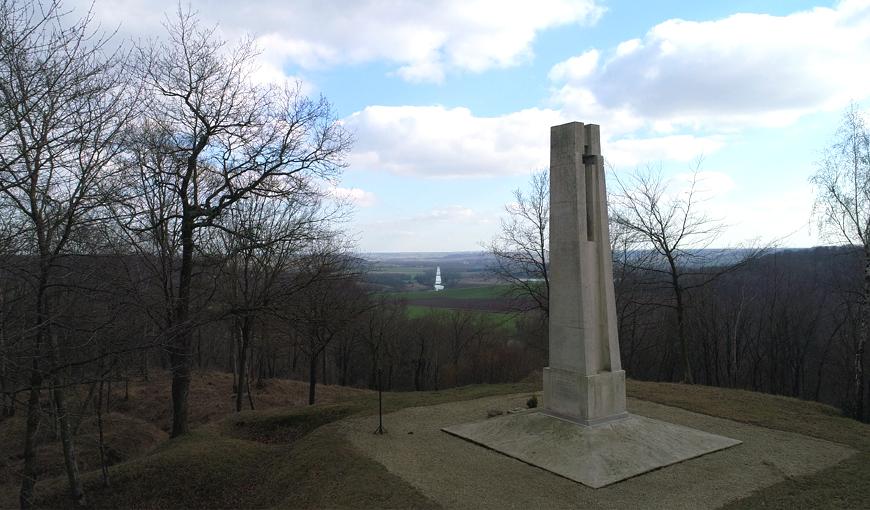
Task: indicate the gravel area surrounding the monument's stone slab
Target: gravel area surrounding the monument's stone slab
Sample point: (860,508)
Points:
(458,474)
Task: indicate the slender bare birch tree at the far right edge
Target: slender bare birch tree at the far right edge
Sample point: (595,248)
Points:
(842,208)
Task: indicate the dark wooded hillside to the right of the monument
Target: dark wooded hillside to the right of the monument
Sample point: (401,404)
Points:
(786,323)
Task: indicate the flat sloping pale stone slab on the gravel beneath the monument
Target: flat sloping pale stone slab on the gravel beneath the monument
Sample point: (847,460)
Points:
(597,455)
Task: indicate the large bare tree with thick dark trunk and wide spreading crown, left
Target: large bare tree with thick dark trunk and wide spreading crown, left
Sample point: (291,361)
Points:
(209,137)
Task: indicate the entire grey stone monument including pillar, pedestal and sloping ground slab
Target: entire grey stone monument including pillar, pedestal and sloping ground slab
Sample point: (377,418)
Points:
(583,431)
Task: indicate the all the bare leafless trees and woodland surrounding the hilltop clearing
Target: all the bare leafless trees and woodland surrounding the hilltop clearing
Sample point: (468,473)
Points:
(161,210)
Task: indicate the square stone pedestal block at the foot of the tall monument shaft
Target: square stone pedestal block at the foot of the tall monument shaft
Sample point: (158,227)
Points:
(585,399)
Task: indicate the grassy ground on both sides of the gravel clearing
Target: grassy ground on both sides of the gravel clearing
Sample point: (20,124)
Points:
(284,458)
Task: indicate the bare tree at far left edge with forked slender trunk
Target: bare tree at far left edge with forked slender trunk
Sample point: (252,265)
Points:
(63,108)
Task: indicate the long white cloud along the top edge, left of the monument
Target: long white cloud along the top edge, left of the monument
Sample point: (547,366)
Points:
(424,40)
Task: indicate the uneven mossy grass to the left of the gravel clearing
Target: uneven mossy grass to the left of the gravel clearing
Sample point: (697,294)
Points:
(281,458)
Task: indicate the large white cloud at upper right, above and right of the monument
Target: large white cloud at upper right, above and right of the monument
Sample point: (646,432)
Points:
(745,69)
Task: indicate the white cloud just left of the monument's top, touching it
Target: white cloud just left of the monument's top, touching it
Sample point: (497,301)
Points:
(434,141)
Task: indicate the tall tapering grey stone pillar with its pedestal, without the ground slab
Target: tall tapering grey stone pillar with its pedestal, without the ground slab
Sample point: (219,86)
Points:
(585,381)
